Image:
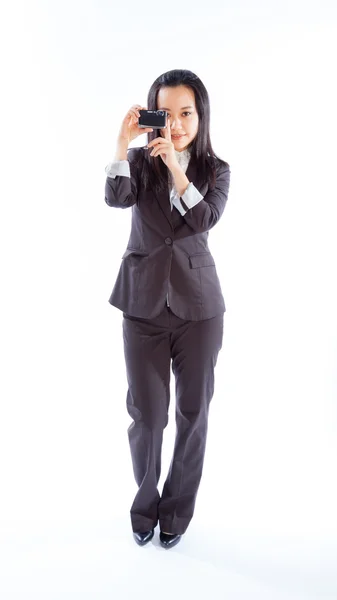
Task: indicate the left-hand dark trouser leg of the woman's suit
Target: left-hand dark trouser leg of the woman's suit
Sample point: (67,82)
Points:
(147,358)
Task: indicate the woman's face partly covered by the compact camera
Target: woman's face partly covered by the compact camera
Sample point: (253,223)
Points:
(180,104)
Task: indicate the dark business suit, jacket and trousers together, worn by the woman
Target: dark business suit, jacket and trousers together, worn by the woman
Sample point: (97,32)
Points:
(167,253)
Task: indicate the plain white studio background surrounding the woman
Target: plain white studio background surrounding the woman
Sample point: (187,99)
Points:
(265,522)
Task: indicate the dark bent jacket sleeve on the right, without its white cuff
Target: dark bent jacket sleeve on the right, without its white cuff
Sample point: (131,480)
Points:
(207,212)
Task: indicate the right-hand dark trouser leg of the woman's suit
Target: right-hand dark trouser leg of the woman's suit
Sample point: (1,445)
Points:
(194,348)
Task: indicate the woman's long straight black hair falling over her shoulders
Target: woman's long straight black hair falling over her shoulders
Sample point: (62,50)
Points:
(154,172)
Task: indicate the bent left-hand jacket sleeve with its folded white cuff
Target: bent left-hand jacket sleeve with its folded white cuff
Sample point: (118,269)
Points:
(121,190)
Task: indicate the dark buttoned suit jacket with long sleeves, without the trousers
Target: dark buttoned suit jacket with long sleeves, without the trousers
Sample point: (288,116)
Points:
(167,253)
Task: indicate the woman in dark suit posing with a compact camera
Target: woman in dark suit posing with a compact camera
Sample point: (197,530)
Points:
(170,294)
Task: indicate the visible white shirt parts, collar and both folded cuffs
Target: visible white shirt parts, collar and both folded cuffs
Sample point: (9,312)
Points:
(191,196)
